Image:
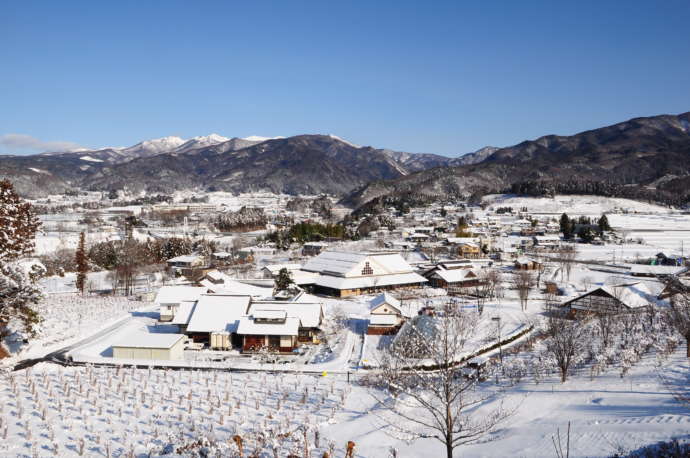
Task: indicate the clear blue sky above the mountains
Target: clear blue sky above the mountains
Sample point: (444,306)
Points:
(437,77)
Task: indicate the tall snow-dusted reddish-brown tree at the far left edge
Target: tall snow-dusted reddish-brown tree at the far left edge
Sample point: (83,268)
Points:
(18,290)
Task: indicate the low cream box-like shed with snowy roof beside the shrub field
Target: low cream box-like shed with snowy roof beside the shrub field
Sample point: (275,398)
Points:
(151,346)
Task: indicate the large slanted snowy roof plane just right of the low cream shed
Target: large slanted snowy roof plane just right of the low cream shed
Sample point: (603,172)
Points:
(217,312)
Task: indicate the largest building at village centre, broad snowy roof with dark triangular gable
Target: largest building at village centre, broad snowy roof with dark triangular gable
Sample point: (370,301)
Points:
(343,274)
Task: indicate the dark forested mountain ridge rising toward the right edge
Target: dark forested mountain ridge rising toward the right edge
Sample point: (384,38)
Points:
(643,158)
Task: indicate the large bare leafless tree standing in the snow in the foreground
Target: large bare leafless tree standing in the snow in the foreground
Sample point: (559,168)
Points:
(434,401)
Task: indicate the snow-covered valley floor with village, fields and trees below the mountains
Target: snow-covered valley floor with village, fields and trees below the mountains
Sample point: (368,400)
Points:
(257,325)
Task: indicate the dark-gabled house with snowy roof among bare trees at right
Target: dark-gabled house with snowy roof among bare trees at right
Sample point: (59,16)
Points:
(629,297)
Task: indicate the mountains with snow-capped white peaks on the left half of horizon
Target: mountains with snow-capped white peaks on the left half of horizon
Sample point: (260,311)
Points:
(303,164)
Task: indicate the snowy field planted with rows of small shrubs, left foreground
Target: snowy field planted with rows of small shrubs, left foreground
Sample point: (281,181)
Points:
(49,410)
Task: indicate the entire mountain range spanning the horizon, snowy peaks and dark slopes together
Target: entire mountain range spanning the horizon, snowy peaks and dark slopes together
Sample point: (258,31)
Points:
(642,158)
